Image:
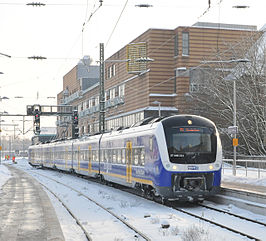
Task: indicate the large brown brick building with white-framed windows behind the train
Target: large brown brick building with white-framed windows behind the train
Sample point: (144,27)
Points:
(135,86)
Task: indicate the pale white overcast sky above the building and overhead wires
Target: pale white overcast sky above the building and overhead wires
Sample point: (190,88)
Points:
(54,31)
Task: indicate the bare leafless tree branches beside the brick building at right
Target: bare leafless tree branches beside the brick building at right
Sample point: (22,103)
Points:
(212,94)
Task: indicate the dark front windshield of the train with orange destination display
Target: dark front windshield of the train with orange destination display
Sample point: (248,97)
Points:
(191,144)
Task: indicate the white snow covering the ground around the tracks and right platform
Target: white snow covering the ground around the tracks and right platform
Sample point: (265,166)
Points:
(130,207)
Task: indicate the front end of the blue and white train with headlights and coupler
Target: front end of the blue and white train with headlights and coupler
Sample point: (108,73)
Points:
(193,158)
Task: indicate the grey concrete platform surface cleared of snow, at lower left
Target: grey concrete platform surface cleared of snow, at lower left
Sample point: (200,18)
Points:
(26,212)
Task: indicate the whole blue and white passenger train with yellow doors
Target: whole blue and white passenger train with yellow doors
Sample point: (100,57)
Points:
(175,158)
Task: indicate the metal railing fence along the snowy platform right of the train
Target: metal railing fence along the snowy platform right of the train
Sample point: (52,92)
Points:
(257,167)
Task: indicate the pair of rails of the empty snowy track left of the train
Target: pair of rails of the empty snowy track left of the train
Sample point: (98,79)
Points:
(138,234)
